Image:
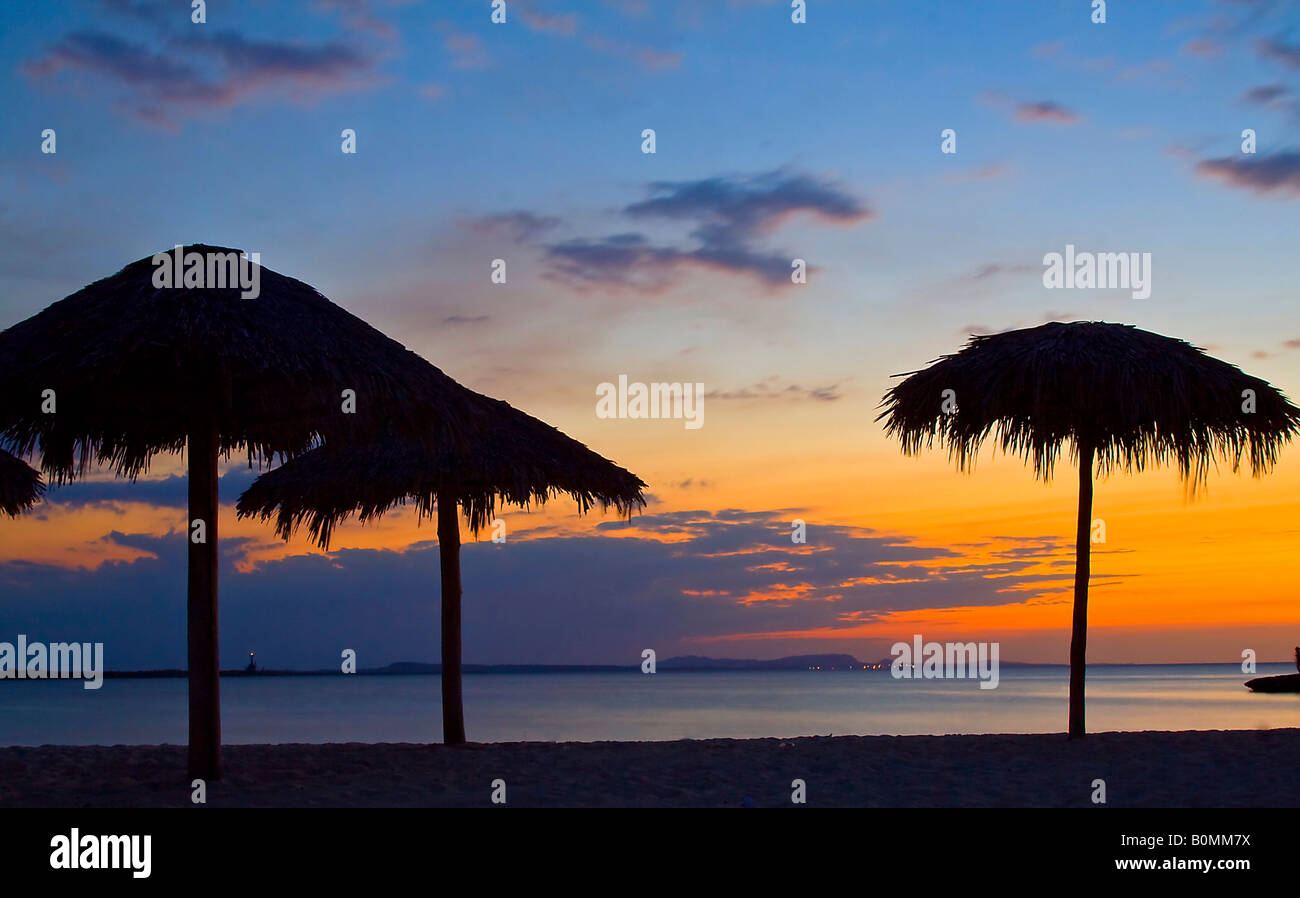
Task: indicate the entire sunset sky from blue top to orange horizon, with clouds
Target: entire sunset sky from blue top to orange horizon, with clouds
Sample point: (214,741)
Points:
(774,141)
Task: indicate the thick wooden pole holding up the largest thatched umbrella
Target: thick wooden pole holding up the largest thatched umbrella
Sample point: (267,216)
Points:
(203,657)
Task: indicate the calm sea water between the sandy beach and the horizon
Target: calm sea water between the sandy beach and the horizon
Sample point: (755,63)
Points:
(634,706)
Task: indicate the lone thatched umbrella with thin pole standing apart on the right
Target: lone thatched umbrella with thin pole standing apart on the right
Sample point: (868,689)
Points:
(1124,398)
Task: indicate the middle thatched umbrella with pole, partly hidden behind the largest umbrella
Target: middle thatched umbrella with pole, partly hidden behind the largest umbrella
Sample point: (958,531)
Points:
(517,461)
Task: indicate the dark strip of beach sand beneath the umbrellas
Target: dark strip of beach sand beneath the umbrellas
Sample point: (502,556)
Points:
(1236,769)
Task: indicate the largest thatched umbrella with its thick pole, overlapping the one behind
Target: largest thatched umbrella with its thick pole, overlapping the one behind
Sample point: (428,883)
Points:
(124,370)
